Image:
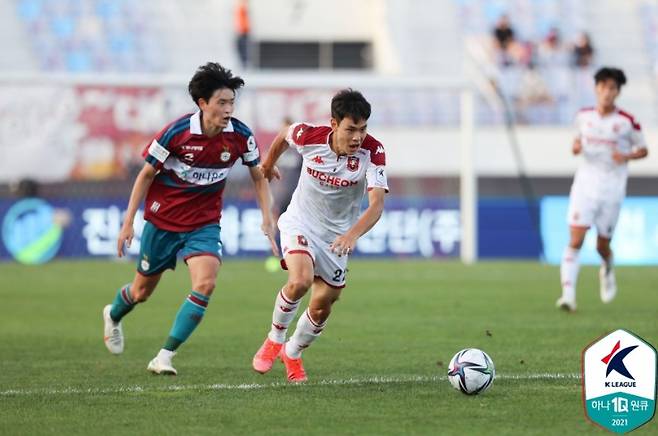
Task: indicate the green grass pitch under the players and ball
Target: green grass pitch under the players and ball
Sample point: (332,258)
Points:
(379,367)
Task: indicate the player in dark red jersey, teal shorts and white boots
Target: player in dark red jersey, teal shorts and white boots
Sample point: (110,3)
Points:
(181,184)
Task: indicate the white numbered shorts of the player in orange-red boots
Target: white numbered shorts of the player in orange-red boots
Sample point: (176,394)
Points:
(328,266)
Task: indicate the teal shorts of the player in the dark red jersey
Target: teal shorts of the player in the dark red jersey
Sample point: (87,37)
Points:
(160,248)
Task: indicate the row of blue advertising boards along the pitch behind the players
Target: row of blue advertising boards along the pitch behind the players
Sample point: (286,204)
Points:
(37,230)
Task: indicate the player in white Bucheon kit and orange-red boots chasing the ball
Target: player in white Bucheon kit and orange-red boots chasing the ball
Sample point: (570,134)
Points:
(320,228)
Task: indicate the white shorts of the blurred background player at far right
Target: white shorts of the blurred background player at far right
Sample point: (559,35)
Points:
(587,210)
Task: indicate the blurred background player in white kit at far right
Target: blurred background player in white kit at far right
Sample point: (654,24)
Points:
(607,138)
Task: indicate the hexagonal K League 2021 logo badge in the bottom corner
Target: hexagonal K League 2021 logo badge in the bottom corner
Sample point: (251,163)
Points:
(619,381)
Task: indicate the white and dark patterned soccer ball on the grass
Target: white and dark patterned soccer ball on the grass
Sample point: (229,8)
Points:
(471,371)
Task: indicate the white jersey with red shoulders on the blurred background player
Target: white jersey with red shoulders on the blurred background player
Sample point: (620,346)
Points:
(600,136)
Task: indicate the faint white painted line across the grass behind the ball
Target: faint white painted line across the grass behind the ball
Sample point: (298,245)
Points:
(257,386)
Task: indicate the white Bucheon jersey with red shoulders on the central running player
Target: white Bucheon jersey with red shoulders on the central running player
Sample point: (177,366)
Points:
(327,200)
